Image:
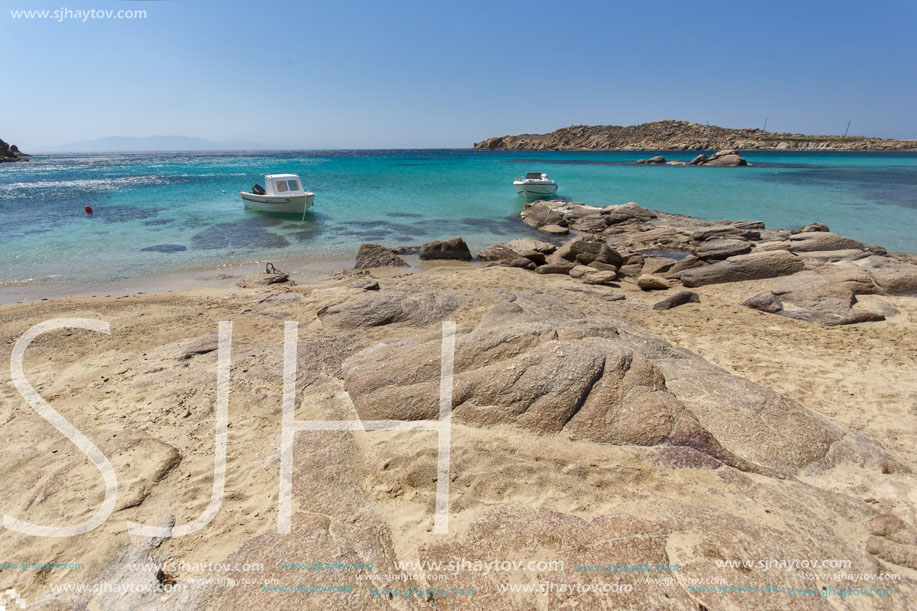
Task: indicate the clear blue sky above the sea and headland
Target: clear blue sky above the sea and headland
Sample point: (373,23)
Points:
(342,74)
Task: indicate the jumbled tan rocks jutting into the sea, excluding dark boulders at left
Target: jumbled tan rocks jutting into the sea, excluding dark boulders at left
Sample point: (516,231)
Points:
(659,250)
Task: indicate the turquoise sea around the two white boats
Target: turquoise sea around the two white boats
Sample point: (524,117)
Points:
(190,201)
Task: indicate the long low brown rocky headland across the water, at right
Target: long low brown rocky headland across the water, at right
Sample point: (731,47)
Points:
(683,136)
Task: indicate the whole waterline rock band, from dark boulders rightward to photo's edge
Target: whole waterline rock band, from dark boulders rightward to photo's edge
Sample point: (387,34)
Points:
(658,251)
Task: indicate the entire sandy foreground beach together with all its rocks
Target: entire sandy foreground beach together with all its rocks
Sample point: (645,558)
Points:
(635,388)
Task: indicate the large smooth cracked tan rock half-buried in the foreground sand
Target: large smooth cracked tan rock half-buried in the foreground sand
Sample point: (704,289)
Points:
(536,361)
